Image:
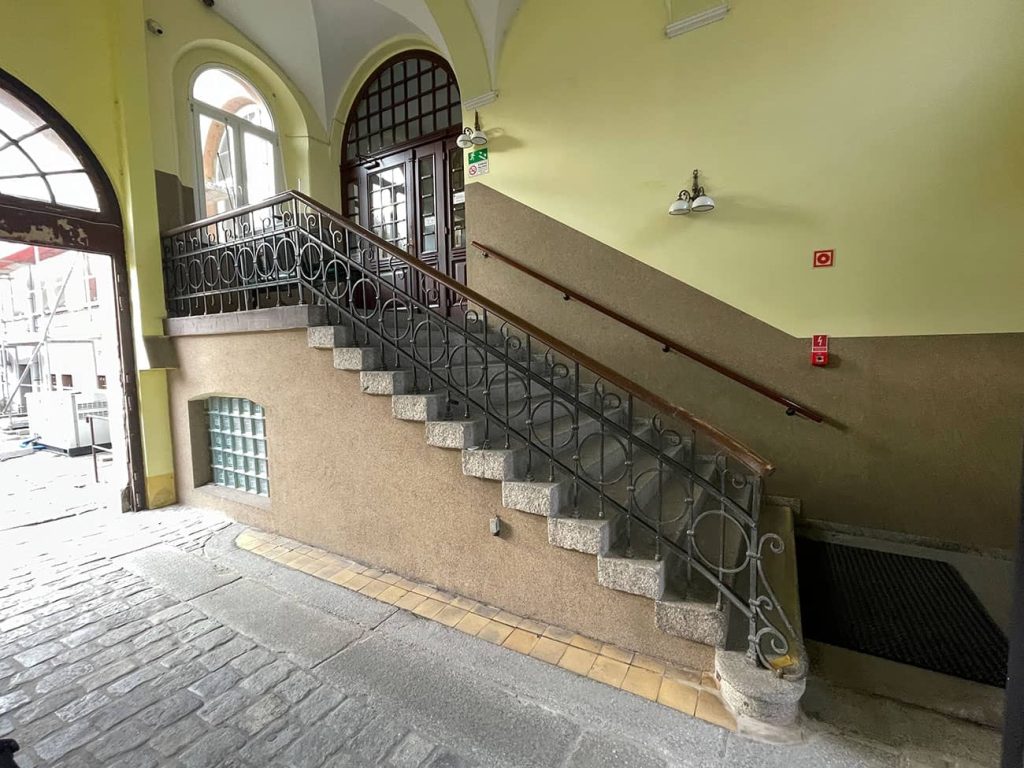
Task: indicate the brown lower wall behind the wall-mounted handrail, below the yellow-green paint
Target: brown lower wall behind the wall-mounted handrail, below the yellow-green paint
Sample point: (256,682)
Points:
(926,433)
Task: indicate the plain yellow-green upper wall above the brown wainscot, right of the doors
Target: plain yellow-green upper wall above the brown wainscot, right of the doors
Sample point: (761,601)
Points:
(889,132)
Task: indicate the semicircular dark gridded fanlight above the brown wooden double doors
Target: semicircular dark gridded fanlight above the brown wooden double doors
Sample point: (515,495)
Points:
(410,97)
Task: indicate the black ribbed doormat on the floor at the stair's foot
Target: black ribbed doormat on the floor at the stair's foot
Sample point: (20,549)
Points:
(907,610)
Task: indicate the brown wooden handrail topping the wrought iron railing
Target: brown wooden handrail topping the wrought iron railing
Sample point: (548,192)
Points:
(746,455)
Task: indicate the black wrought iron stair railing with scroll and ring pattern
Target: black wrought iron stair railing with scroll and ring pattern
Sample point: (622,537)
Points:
(672,487)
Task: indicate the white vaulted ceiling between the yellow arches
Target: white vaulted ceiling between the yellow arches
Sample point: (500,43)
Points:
(319,44)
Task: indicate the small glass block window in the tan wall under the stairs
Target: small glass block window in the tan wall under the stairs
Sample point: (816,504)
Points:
(238,445)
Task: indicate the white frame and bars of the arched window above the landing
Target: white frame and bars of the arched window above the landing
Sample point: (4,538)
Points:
(240,126)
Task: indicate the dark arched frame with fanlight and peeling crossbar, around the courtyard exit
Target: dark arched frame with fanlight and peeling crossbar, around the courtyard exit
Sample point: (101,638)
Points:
(56,195)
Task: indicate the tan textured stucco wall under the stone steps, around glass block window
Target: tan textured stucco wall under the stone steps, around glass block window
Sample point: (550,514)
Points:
(346,476)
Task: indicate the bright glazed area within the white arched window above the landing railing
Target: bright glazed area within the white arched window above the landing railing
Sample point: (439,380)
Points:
(237,155)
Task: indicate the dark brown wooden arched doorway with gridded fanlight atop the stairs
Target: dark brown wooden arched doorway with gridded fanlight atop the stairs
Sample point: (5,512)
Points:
(402,174)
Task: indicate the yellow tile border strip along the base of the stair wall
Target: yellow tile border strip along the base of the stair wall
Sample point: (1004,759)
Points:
(690,692)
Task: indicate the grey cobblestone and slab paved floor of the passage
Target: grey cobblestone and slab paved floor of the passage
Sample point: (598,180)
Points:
(152,641)
